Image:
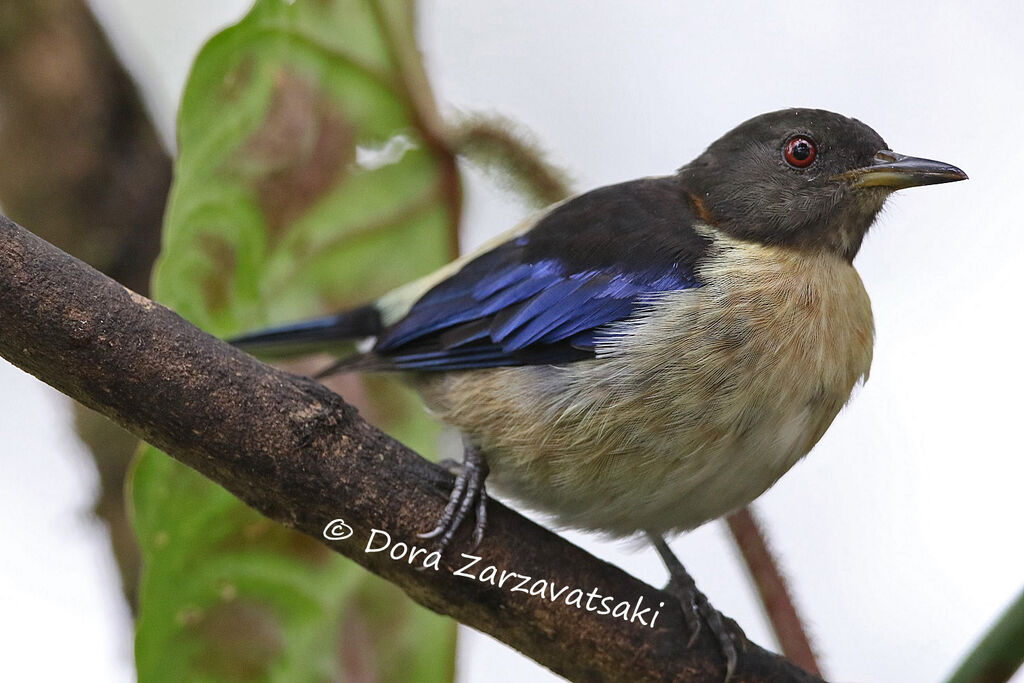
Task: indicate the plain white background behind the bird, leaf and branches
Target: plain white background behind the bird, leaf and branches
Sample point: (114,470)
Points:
(899,532)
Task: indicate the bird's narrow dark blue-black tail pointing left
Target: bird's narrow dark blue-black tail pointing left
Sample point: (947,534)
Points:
(323,334)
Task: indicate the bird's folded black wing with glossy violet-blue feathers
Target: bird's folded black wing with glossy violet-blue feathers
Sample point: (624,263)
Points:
(546,295)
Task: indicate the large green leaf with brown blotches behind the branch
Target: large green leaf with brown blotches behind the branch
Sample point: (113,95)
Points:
(310,179)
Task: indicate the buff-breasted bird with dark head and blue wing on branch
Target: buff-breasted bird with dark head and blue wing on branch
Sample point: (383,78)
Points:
(655,355)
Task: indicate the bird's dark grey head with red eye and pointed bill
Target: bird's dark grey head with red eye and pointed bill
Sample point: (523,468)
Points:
(806,179)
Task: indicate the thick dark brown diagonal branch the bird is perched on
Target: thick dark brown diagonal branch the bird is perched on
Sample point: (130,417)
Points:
(297,453)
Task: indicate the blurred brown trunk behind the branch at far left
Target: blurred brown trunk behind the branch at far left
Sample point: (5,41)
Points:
(86,169)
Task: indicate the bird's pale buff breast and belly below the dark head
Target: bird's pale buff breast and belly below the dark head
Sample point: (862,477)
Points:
(691,411)
